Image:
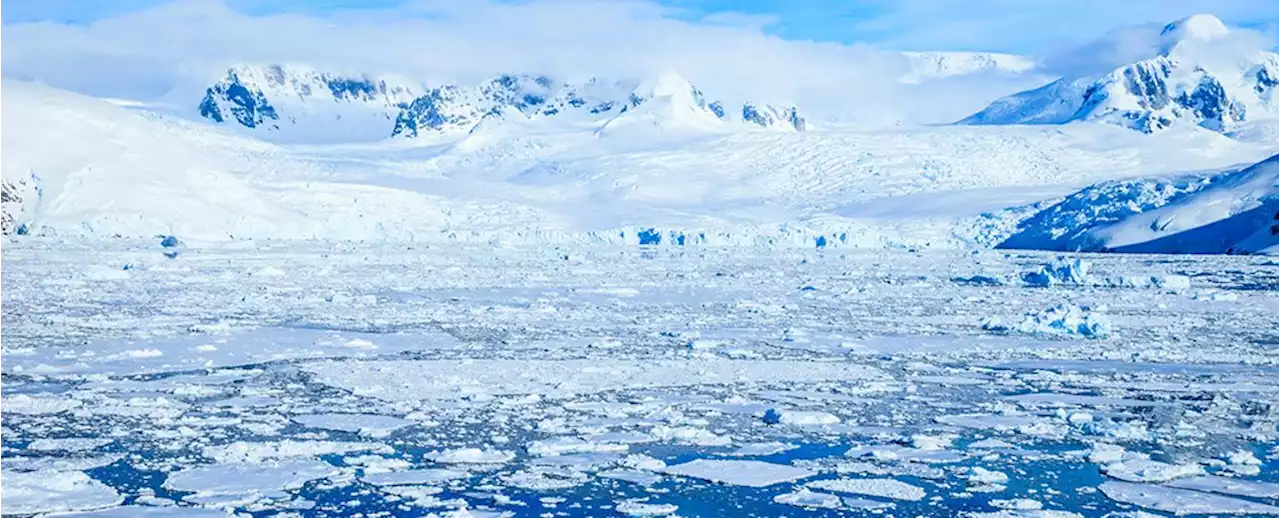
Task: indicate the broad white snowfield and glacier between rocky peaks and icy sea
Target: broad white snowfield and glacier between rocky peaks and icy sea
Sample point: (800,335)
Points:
(676,175)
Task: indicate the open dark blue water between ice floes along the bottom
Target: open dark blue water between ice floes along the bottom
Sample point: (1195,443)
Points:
(1057,483)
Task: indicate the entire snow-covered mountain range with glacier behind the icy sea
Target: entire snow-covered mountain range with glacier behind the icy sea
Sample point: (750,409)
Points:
(1141,158)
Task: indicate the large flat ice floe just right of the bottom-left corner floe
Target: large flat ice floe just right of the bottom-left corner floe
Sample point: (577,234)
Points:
(235,480)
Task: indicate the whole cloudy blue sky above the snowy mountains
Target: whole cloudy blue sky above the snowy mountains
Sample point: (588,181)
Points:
(811,53)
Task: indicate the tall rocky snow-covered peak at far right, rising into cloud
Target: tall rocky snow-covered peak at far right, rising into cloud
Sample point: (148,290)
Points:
(1197,77)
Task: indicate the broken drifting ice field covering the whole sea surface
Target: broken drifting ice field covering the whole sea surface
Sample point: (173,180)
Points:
(295,379)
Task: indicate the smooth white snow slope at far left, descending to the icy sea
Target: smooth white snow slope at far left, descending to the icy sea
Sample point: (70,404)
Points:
(84,167)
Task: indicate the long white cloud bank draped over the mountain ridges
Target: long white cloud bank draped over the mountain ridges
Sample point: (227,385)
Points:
(179,49)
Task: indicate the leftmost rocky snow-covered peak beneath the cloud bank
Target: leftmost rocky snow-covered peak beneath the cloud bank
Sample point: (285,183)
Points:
(304,104)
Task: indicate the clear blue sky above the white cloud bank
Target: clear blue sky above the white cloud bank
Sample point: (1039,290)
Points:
(1014,26)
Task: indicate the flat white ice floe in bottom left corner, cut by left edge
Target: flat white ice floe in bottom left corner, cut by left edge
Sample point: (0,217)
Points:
(53,492)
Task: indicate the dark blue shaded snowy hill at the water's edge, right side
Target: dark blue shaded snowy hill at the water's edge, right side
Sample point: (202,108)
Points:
(1237,212)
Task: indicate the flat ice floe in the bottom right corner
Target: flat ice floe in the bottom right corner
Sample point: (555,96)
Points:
(1181,502)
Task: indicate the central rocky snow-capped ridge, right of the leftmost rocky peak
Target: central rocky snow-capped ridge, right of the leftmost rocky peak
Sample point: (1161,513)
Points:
(668,100)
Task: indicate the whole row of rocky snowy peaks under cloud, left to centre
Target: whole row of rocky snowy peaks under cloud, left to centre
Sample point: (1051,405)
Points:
(300,104)
